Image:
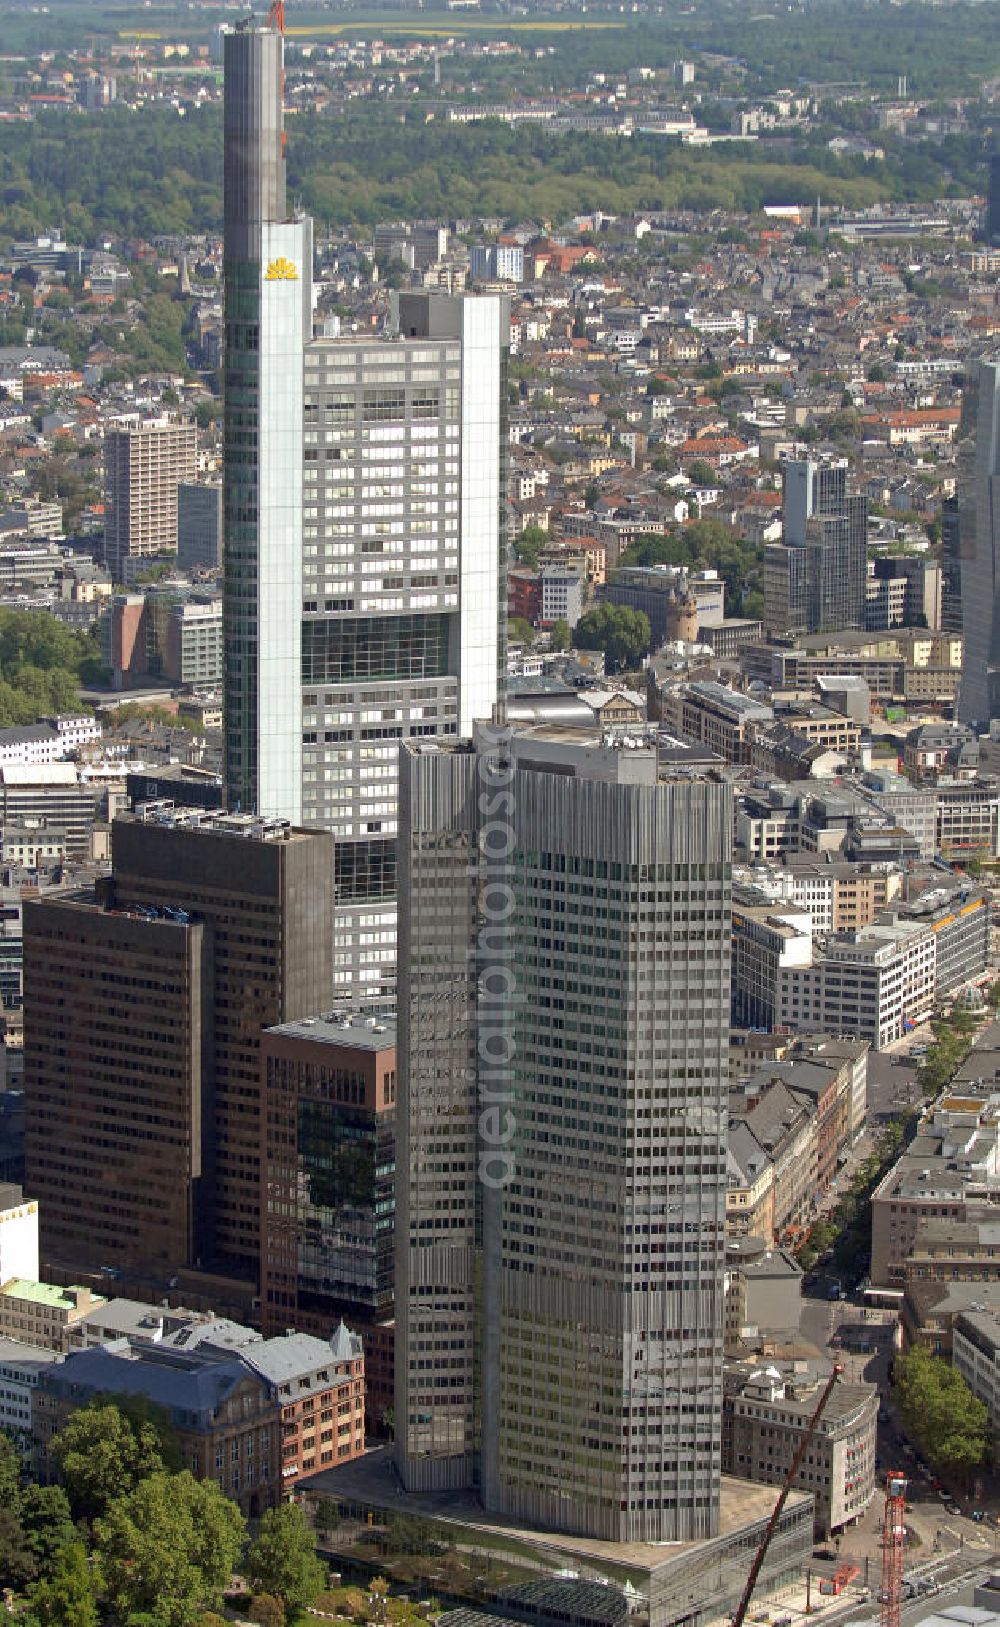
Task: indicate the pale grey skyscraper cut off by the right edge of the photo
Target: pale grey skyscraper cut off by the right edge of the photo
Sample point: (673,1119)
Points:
(980,544)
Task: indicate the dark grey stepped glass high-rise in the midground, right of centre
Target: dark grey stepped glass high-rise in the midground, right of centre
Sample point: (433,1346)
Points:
(815,580)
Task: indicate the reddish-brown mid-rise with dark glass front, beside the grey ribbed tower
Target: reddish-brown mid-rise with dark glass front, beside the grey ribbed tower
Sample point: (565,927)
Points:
(329,1200)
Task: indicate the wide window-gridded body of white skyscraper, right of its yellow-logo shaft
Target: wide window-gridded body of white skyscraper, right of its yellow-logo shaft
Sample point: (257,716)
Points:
(402,585)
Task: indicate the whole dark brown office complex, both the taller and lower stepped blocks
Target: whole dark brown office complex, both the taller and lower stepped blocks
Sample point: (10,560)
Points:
(144,1013)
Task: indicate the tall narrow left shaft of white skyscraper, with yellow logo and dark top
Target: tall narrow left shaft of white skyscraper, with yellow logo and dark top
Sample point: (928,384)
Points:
(267,318)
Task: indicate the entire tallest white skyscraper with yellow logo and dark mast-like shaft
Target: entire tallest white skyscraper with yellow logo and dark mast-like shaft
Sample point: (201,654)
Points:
(363,531)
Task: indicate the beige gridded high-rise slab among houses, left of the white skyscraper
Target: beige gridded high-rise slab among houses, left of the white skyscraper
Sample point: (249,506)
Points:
(142,469)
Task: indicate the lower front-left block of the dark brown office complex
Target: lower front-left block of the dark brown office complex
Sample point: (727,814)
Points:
(115,1068)
